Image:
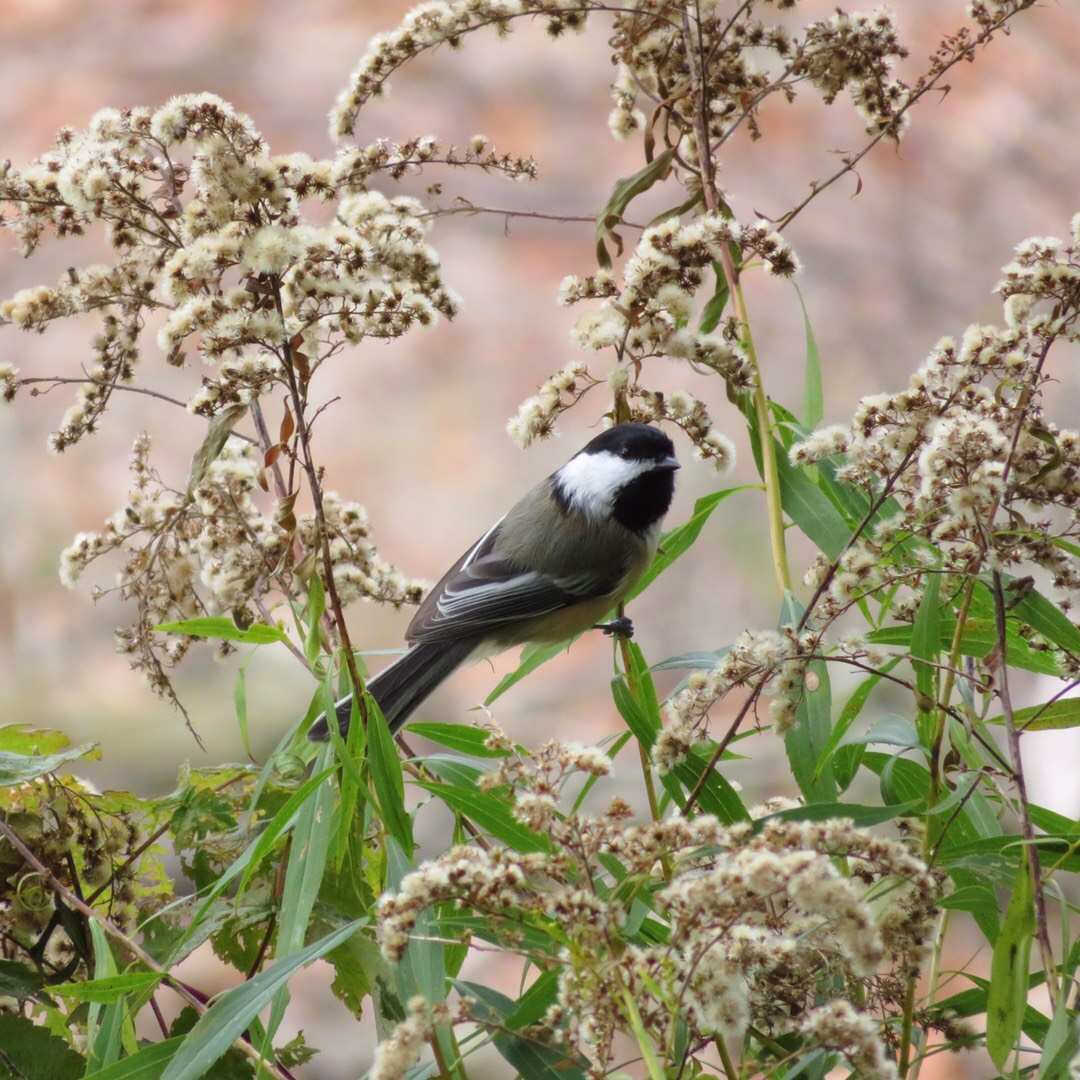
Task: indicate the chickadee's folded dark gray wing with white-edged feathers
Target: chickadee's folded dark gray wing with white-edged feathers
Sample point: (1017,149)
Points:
(483,591)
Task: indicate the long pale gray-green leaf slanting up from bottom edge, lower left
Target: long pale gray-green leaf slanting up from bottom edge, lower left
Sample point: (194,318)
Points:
(234,1011)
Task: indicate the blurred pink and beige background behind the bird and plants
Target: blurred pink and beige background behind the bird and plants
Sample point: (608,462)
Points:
(418,436)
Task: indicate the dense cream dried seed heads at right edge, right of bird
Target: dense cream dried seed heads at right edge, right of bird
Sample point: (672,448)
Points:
(980,478)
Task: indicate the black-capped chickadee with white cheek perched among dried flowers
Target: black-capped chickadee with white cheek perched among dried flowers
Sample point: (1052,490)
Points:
(560,561)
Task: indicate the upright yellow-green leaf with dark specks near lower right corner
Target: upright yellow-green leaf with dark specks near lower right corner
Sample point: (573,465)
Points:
(1008,994)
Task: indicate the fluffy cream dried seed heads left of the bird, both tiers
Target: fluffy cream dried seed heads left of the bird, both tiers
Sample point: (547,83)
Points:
(211,246)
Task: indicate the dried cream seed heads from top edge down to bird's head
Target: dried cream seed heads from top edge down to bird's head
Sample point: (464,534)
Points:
(704,75)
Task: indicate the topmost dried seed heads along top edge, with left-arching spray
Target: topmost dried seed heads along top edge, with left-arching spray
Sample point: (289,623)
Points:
(750,59)
